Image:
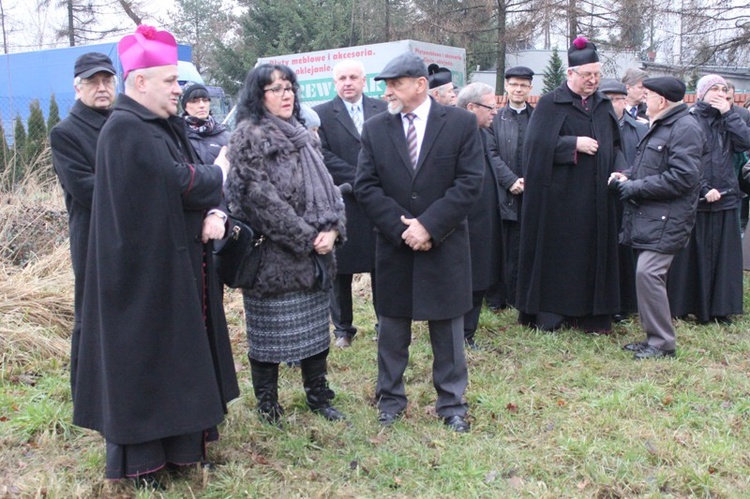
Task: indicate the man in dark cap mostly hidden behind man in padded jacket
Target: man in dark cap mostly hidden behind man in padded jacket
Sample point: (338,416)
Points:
(631,132)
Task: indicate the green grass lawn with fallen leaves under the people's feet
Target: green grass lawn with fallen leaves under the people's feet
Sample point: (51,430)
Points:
(554,415)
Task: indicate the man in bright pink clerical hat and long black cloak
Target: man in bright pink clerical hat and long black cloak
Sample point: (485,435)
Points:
(155,368)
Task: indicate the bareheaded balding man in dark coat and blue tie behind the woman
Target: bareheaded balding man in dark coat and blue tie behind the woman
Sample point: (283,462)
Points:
(341,121)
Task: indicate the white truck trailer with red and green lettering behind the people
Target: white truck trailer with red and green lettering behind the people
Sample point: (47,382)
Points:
(315,69)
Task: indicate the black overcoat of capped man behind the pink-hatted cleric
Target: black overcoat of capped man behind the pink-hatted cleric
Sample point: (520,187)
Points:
(73,144)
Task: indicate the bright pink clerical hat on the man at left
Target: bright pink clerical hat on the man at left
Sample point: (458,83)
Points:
(146,48)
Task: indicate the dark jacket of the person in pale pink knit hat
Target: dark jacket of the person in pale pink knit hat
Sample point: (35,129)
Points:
(725,134)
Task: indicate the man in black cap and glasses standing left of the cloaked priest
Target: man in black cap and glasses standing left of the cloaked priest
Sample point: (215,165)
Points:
(509,128)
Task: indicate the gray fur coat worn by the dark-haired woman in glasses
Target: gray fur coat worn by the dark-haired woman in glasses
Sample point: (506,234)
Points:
(265,187)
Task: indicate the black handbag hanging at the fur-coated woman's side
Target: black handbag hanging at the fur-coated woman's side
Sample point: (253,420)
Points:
(237,256)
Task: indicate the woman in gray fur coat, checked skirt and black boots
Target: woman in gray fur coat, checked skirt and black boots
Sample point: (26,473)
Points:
(279,184)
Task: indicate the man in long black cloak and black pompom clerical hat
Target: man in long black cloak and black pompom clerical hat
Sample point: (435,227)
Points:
(568,250)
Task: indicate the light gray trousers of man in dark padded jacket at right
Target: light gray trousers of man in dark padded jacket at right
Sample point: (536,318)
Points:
(653,303)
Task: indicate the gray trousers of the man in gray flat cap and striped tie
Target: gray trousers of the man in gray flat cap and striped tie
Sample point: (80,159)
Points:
(449,372)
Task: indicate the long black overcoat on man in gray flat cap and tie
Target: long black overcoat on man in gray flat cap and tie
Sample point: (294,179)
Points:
(440,192)
